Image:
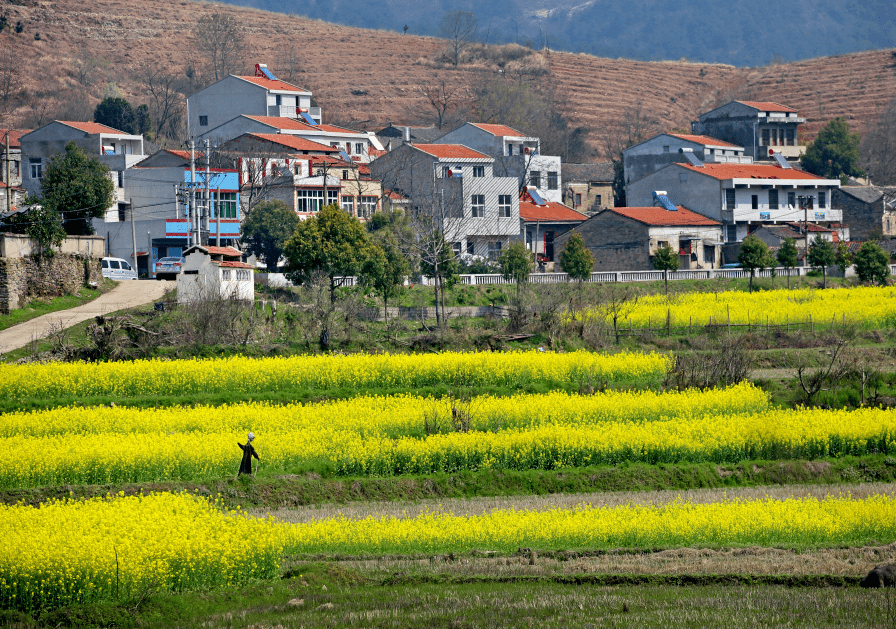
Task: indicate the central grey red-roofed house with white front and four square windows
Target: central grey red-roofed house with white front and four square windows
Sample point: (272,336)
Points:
(455,190)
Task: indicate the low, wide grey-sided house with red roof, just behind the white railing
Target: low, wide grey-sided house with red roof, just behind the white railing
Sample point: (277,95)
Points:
(626,238)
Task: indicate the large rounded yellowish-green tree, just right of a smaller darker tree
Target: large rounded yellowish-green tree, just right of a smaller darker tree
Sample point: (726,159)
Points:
(333,242)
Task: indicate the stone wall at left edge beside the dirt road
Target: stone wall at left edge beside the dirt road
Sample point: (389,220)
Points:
(24,277)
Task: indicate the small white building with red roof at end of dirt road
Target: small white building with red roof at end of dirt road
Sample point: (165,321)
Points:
(211,273)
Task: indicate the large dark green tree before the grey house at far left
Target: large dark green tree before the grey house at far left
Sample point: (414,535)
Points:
(77,188)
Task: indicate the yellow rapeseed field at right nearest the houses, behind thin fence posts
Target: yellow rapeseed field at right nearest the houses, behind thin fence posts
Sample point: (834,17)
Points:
(872,306)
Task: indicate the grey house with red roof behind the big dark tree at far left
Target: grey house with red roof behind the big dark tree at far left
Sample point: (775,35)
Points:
(116,149)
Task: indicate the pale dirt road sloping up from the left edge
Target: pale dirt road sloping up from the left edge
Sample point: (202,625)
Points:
(125,295)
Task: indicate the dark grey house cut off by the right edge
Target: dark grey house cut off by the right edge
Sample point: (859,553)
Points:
(870,211)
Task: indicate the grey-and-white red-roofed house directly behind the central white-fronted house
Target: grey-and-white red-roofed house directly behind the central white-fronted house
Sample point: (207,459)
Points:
(515,154)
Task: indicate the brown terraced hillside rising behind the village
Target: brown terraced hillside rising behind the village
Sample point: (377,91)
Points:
(337,60)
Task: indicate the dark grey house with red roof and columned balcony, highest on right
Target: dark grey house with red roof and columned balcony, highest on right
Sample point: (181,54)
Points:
(761,127)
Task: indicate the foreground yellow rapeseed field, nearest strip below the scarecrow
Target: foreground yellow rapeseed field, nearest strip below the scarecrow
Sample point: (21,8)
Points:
(79,551)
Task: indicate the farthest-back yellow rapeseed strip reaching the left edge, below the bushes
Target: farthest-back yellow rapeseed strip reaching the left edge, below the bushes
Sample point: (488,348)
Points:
(358,372)
